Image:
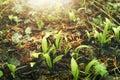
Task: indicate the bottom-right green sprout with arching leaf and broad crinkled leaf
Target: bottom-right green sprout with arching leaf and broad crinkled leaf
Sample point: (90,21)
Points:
(99,69)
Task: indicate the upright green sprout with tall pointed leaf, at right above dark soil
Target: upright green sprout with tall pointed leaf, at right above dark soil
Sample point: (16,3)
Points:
(102,37)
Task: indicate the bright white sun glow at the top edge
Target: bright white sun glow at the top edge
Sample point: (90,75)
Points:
(49,4)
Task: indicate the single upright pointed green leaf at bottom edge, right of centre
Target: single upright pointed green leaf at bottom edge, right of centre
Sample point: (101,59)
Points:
(74,69)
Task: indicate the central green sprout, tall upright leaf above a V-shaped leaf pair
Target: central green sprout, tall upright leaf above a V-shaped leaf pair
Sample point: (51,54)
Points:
(47,51)
